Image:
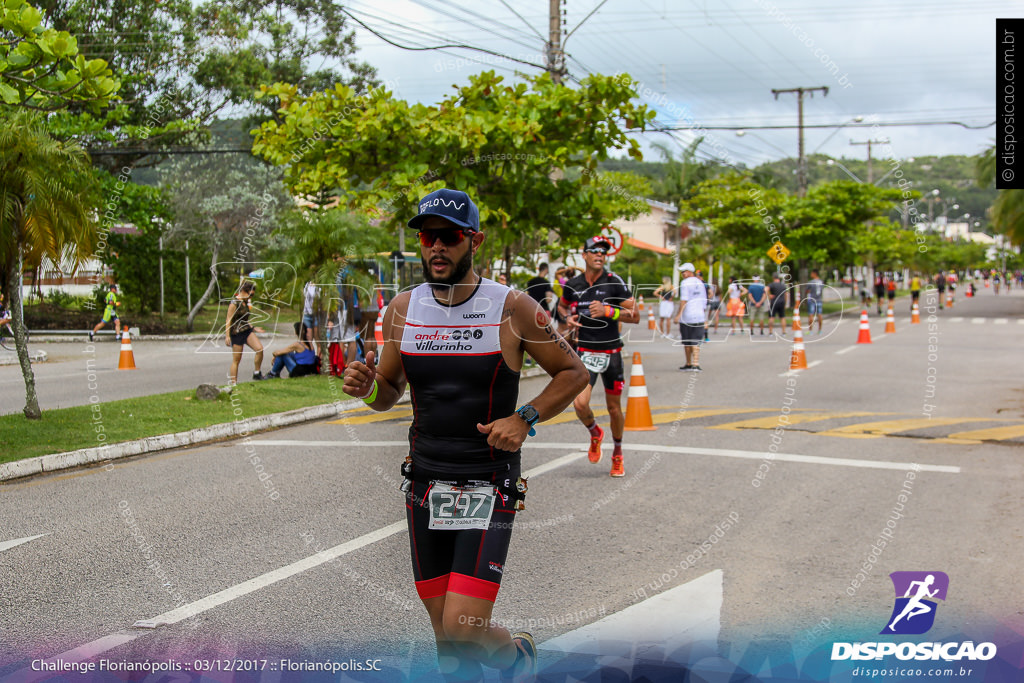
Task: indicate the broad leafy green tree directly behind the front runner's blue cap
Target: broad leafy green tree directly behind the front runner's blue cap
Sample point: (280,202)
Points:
(502,144)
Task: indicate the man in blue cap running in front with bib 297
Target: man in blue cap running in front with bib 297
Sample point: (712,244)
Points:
(459,341)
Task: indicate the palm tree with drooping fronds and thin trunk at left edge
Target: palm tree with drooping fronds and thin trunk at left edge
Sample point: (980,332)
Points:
(47,188)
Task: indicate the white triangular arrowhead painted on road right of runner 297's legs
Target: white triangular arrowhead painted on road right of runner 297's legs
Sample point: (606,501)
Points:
(659,626)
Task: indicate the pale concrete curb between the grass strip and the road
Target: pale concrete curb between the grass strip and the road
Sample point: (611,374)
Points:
(83,457)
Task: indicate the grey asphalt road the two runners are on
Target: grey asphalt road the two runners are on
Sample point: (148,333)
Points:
(242,574)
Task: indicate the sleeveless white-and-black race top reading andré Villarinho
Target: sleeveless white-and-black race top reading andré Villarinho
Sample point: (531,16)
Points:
(452,357)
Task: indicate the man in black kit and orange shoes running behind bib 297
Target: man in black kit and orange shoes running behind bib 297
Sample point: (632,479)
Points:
(595,303)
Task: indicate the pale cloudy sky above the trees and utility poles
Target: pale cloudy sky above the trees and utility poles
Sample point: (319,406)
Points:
(715,63)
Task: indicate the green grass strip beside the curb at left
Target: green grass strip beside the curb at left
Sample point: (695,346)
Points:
(73,429)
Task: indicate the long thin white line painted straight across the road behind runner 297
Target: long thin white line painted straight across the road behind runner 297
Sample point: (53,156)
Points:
(681,450)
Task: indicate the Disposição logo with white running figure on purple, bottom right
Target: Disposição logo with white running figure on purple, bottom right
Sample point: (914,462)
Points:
(918,594)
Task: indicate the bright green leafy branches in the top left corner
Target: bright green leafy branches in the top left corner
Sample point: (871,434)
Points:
(41,67)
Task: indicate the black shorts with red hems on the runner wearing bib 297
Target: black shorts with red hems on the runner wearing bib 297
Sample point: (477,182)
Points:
(464,562)
